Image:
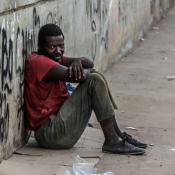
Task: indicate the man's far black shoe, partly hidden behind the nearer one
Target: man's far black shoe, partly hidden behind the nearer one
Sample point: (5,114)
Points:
(133,141)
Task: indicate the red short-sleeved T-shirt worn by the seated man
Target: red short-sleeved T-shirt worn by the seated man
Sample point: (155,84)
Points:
(41,99)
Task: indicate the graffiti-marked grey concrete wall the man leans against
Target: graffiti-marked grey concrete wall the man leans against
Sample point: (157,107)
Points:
(103,30)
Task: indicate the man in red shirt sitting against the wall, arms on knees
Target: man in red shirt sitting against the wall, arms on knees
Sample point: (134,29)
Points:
(59,119)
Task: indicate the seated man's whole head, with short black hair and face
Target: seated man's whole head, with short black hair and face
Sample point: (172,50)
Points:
(51,41)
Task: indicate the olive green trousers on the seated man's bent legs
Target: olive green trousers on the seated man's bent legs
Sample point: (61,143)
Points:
(64,129)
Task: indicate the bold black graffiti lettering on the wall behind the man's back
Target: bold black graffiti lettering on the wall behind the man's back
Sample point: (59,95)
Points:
(16,42)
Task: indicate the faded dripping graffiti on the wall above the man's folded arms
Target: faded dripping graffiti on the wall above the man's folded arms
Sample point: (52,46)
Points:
(98,13)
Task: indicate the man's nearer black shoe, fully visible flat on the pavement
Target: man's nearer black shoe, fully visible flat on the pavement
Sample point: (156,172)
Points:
(122,147)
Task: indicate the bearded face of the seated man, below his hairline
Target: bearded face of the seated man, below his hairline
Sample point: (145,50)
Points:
(54,46)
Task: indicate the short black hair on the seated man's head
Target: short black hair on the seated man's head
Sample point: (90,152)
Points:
(48,30)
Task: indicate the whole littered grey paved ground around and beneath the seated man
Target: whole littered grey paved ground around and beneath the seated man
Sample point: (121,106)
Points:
(145,97)
